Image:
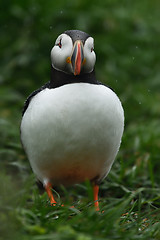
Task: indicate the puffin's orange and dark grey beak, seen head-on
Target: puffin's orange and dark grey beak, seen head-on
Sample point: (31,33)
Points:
(77,57)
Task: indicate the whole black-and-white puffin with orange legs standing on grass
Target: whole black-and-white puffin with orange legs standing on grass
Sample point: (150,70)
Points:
(71,127)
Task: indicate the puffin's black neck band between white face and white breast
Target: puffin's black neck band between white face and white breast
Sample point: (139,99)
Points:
(59,78)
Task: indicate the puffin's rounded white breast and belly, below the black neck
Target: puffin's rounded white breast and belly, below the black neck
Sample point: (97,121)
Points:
(73,132)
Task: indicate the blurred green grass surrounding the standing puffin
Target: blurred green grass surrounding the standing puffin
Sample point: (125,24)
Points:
(127,40)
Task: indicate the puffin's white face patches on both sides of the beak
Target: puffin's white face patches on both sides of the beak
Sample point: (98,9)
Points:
(62,51)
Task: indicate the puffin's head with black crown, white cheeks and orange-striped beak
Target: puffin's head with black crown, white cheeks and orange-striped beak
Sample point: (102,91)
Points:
(73,53)
